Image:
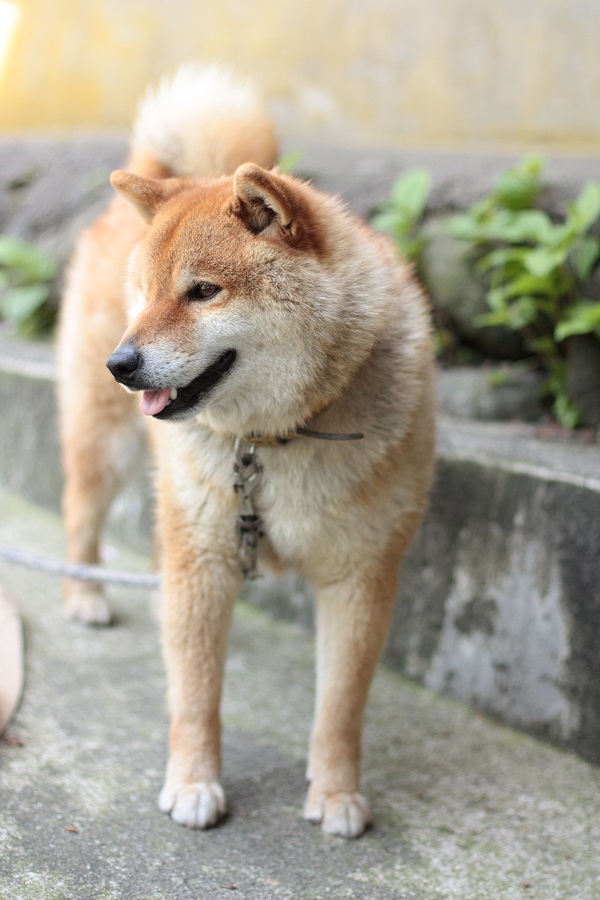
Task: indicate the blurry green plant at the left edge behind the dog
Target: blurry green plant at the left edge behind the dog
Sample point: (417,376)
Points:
(26,274)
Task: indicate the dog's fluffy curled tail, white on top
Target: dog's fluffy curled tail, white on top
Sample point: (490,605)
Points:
(201,122)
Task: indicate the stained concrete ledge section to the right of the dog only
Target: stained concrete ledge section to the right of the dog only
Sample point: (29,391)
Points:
(501,601)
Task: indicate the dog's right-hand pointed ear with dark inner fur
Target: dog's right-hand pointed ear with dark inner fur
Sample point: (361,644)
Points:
(266,200)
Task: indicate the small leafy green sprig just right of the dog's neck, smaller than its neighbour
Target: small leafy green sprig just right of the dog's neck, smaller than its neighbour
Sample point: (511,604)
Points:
(401,215)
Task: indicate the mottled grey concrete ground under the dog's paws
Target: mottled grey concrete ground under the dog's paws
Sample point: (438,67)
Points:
(465,808)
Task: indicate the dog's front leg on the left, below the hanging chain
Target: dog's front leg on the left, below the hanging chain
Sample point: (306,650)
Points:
(201,578)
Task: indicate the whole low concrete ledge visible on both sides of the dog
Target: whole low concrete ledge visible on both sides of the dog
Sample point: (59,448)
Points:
(500,598)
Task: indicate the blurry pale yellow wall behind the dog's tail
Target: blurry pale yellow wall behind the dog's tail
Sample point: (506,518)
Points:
(386,72)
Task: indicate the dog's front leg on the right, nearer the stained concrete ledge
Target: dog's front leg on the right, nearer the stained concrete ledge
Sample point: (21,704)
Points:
(353,620)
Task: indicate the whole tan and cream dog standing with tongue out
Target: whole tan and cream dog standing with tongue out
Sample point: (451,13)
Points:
(258,308)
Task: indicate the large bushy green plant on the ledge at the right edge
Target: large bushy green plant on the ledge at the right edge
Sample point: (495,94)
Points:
(536,269)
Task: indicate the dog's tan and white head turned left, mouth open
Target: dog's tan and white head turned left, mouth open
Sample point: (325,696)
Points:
(250,303)
